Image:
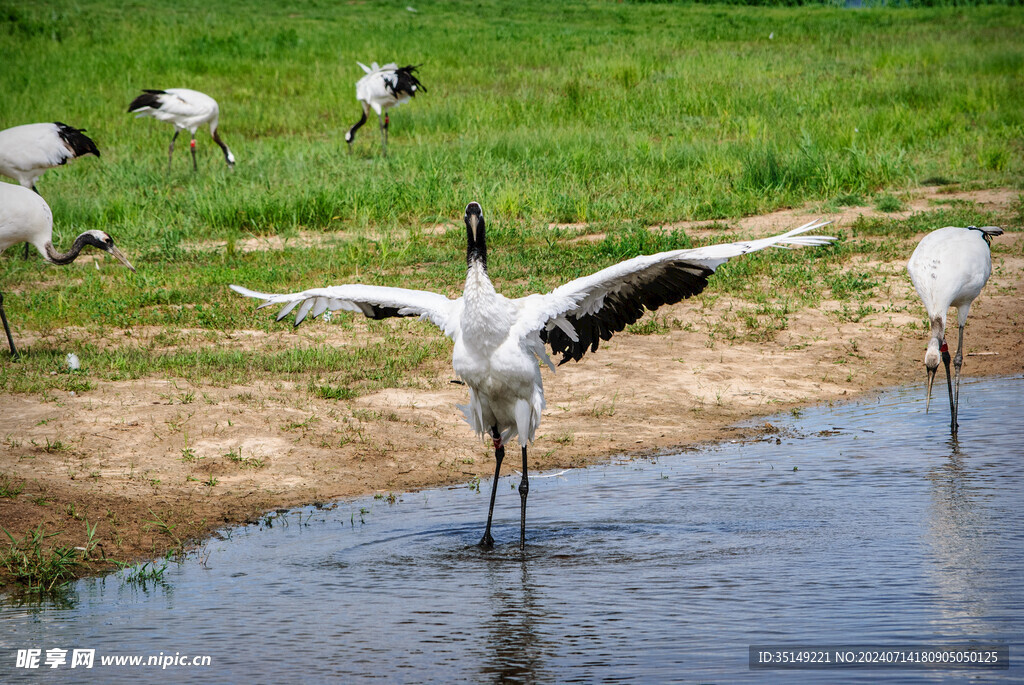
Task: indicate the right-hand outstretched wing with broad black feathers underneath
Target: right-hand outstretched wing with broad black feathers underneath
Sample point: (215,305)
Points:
(577,317)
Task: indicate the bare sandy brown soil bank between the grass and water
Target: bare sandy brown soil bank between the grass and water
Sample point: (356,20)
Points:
(158,462)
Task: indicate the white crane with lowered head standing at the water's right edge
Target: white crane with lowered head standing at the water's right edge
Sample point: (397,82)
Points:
(950,268)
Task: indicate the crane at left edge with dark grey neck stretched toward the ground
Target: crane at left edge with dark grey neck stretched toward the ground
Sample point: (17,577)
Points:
(25,217)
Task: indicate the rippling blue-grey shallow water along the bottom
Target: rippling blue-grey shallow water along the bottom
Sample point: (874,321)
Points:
(863,525)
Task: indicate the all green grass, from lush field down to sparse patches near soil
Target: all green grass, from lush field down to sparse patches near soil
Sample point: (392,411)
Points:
(623,115)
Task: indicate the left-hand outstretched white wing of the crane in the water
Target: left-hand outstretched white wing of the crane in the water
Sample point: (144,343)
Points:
(374,302)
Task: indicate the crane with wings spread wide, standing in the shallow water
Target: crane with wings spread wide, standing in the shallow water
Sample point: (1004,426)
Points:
(498,341)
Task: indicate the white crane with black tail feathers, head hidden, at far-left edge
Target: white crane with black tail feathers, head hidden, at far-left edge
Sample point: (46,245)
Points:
(28,151)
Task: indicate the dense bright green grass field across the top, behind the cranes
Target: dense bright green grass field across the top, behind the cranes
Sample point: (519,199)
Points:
(554,112)
